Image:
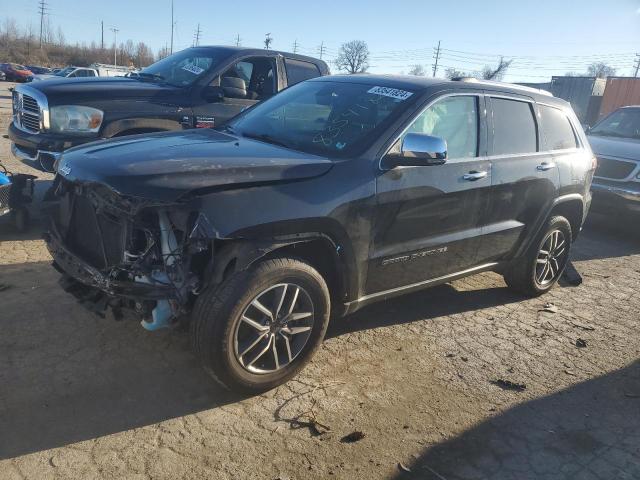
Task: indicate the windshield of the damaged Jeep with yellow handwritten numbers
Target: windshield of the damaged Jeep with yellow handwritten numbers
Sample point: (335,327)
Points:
(335,119)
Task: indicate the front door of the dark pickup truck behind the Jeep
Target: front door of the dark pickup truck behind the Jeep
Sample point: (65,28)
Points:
(245,83)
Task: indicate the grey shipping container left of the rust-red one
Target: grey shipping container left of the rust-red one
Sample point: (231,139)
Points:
(583,93)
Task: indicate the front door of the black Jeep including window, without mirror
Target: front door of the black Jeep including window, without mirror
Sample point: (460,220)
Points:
(429,219)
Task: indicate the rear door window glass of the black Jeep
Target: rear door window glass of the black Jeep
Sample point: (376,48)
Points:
(514,127)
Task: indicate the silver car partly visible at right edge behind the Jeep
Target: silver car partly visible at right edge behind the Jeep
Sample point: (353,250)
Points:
(615,141)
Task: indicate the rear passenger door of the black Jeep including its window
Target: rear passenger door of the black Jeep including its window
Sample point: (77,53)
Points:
(525,177)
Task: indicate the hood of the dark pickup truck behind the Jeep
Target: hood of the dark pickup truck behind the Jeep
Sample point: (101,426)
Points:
(62,89)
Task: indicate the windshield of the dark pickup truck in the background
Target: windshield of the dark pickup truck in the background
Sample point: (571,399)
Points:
(183,68)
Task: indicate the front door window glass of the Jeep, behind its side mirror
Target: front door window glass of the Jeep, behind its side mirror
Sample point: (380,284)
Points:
(456,120)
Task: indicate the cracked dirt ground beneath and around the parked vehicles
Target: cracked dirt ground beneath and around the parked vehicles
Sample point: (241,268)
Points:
(419,376)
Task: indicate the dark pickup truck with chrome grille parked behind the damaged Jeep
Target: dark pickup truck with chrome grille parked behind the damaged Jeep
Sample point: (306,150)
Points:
(199,87)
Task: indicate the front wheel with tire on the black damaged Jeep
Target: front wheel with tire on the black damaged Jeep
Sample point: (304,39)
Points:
(223,339)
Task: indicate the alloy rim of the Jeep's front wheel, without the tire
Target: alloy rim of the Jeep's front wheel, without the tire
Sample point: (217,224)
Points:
(273,329)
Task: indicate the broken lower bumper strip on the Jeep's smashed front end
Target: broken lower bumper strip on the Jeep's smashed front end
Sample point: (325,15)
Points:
(73,266)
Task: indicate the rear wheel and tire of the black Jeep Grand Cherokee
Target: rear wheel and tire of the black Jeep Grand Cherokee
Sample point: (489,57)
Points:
(527,275)
